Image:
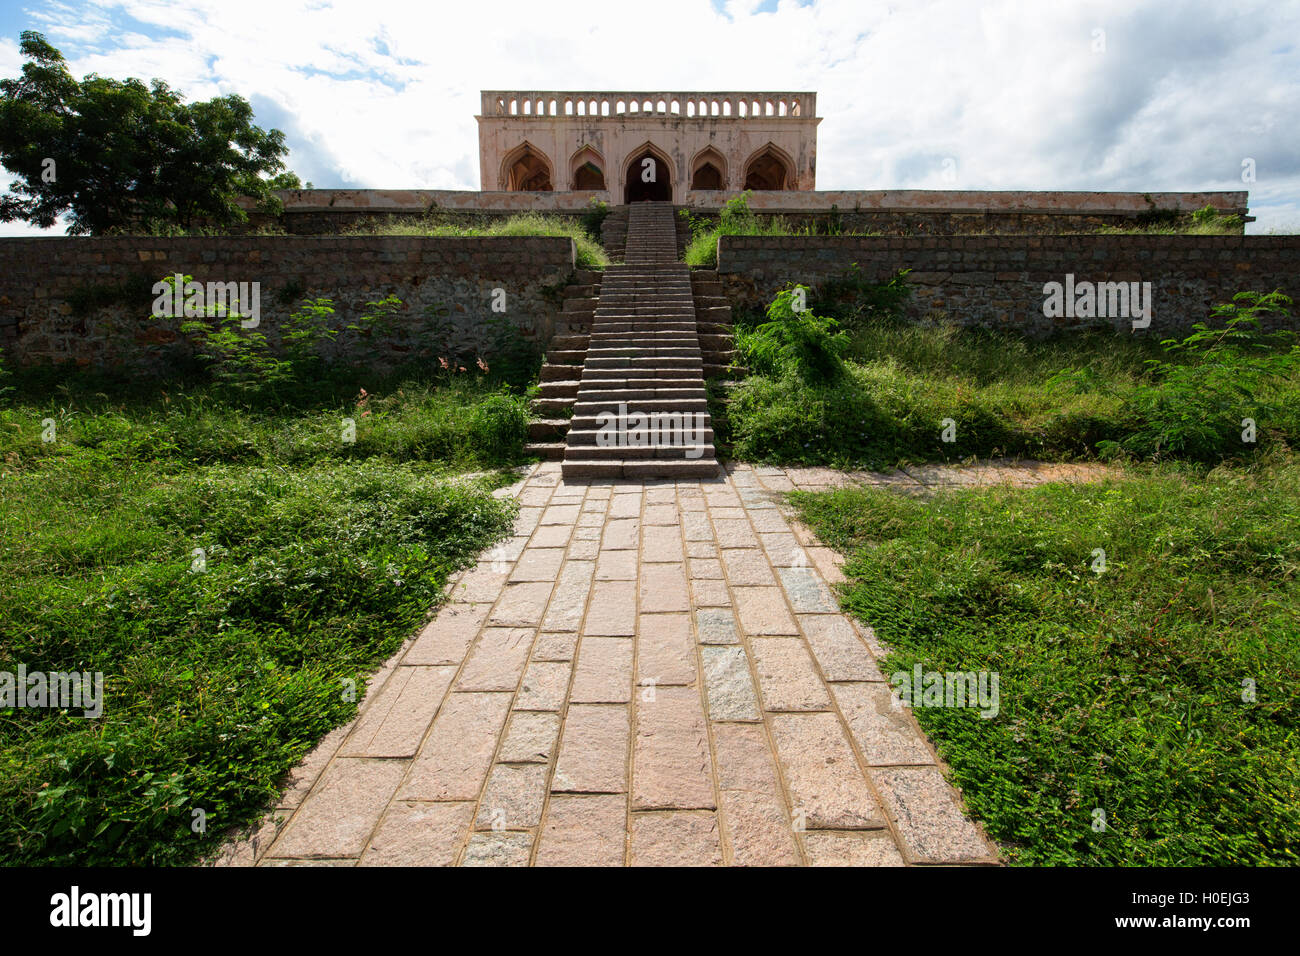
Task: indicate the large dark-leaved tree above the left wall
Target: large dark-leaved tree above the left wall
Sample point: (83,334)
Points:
(120,155)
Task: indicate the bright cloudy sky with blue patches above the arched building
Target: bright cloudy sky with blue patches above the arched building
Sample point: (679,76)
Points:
(1136,96)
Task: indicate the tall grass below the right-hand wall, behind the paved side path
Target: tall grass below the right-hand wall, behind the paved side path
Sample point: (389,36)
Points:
(1008,396)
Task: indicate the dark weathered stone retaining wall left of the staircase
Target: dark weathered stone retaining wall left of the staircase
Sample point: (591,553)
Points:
(44,282)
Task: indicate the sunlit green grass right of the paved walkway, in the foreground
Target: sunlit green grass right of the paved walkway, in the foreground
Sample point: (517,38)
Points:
(1126,691)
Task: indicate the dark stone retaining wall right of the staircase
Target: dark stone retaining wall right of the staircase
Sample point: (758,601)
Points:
(998,282)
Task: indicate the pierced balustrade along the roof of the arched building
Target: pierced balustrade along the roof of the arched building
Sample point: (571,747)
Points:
(735,106)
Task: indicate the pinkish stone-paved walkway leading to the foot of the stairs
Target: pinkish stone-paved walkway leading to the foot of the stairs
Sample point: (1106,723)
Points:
(647,674)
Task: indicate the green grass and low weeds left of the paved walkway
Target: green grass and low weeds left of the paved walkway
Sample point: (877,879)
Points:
(223,667)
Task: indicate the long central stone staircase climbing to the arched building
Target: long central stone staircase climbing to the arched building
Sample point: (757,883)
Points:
(643,365)
